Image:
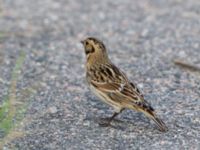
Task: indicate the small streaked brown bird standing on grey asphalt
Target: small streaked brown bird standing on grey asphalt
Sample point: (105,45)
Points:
(112,86)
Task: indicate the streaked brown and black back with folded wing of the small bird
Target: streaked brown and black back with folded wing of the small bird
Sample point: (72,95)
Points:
(110,79)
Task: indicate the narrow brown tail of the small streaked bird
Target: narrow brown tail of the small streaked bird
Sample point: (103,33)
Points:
(150,113)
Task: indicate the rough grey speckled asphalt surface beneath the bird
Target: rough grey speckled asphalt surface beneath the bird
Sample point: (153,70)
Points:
(143,38)
